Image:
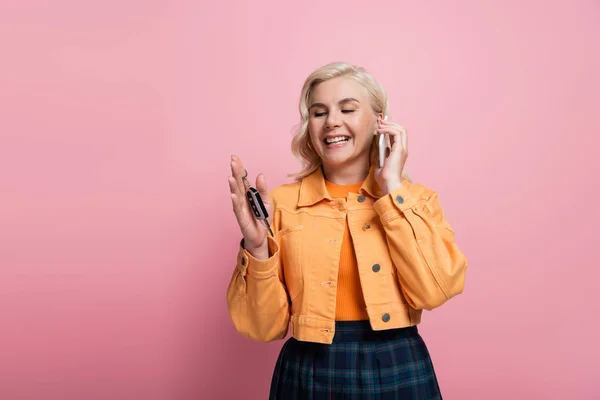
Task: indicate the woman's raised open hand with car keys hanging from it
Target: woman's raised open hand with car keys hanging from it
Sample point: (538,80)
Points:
(253,230)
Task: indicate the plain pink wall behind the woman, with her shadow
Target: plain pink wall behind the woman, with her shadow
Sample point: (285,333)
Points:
(117,240)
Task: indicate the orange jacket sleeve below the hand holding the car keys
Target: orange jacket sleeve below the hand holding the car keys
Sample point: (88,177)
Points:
(257,297)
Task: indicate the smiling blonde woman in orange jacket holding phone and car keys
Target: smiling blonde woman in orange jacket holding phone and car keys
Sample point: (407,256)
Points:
(358,252)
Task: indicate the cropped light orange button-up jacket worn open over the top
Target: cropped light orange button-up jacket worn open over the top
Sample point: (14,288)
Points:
(405,249)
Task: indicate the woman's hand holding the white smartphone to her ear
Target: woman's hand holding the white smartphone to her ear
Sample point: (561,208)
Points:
(390,176)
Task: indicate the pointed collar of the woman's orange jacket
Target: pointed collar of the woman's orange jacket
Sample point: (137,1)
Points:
(313,189)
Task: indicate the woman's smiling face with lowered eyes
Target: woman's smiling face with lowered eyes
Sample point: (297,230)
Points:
(341,123)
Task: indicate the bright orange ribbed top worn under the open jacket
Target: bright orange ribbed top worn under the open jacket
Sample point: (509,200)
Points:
(350,303)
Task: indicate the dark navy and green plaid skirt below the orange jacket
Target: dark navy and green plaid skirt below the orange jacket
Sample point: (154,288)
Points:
(359,364)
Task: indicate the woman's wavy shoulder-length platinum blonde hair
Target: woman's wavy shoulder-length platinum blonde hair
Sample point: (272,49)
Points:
(301,144)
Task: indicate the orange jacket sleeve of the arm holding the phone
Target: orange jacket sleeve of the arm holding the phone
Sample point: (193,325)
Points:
(431,268)
